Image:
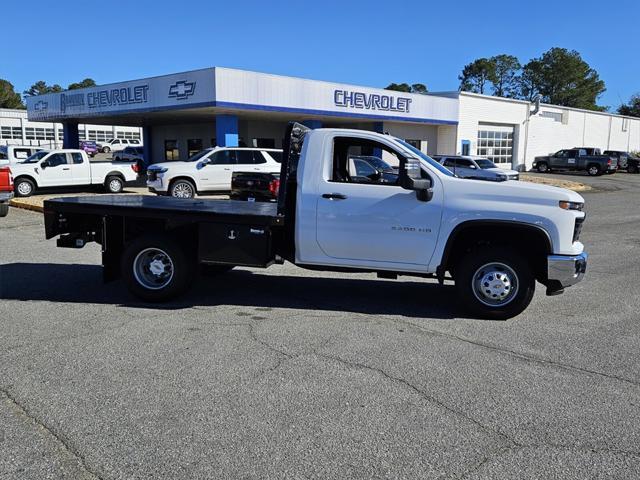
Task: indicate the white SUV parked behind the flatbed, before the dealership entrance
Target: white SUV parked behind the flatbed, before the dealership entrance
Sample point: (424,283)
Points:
(210,170)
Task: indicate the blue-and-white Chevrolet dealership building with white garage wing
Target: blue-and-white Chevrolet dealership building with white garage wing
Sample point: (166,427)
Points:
(179,114)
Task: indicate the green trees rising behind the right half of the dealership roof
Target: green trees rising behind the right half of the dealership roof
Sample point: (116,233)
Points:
(559,77)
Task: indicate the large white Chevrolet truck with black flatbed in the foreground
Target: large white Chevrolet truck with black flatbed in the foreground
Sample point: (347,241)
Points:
(493,239)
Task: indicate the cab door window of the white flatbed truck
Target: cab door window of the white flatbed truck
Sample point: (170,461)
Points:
(358,160)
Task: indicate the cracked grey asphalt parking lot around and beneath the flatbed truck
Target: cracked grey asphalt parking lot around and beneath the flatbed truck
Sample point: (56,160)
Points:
(287,373)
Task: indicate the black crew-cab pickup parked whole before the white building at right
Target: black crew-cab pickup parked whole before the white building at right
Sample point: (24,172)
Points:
(576,159)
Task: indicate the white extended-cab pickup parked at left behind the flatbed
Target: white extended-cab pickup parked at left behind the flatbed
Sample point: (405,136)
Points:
(66,167)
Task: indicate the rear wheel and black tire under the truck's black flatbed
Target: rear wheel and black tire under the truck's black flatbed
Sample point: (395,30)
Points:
(156,285)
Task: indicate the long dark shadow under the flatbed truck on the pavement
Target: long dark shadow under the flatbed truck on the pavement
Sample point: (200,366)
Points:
(77,283)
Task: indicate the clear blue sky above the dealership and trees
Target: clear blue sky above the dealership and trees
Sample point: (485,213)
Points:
(366,43)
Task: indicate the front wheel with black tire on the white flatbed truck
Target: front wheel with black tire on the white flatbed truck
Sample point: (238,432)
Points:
(475,272)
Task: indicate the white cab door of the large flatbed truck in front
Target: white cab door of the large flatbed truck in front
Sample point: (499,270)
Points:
(363,219)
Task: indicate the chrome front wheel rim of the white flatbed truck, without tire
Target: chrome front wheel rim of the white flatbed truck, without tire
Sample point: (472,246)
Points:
(495,284)
